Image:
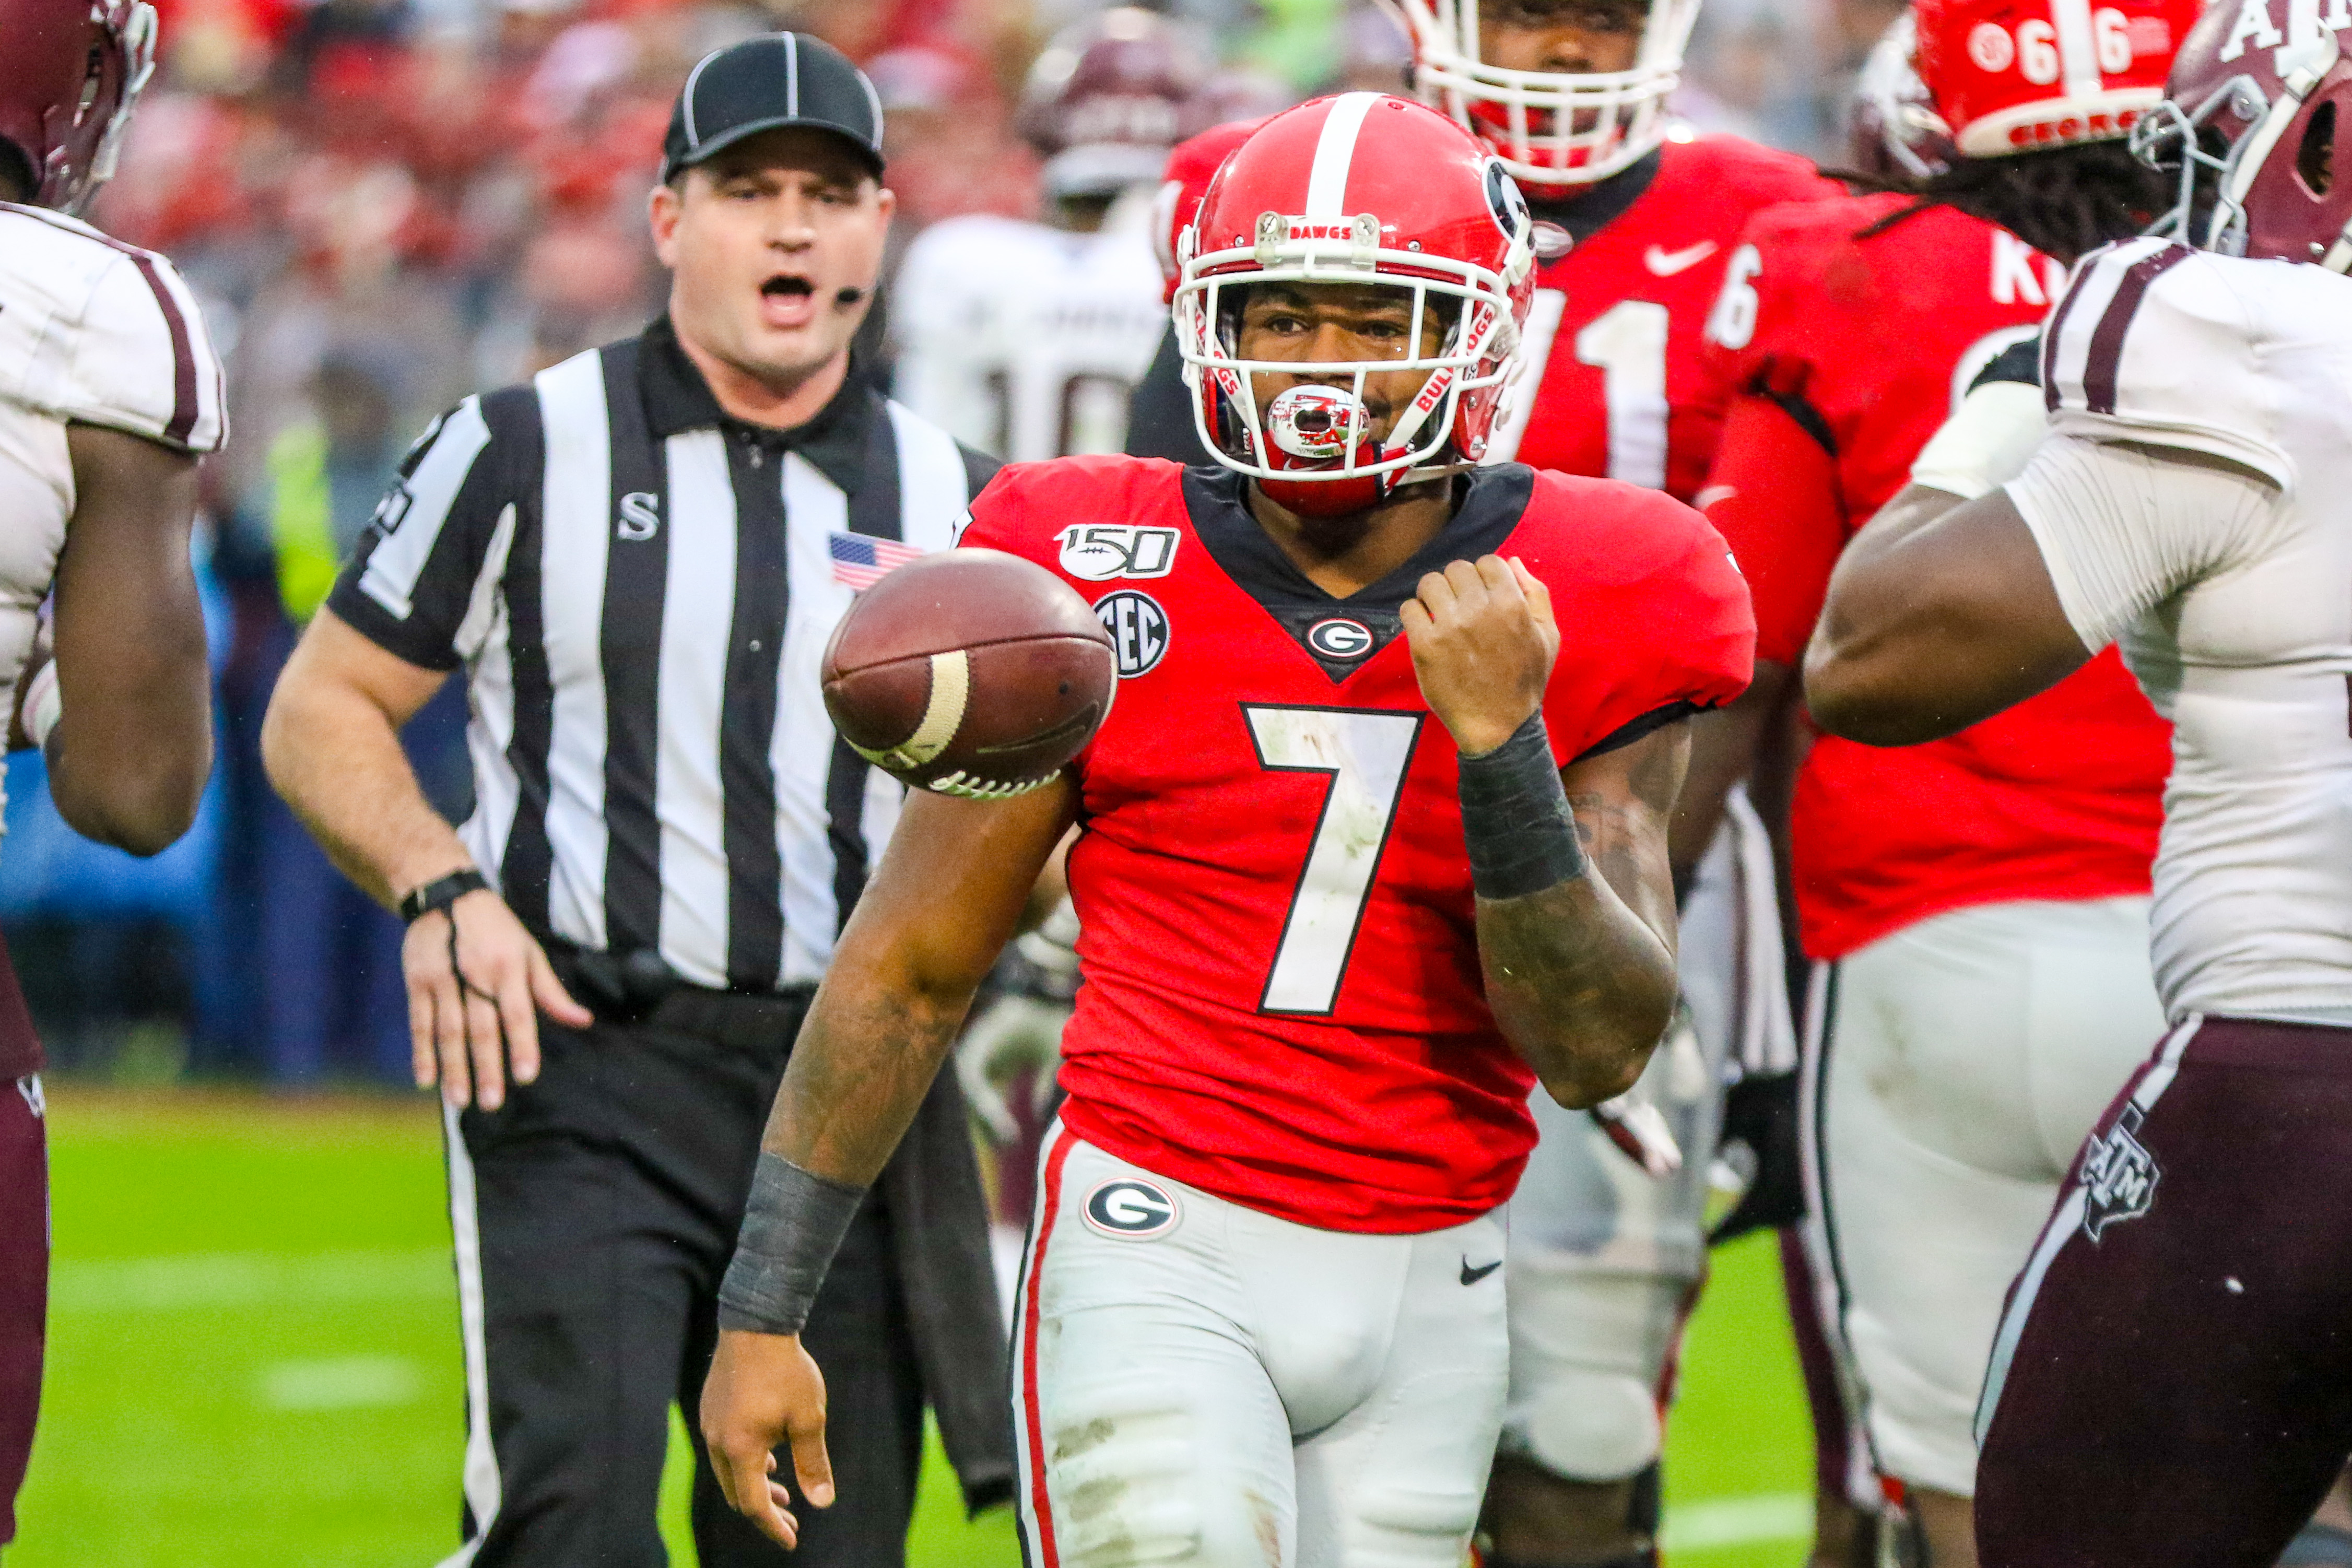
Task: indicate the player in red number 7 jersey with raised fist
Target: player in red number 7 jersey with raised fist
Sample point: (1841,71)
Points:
(1259,1315)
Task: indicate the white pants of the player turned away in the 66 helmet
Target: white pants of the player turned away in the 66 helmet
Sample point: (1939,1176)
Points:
(1951,1078)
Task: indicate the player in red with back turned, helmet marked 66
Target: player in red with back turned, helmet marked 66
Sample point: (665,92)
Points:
(1977,909)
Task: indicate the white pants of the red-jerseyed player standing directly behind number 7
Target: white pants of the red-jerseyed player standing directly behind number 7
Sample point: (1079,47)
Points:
(1605,1259)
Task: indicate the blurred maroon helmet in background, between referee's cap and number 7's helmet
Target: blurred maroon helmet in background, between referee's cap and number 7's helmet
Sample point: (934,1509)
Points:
(1107,102)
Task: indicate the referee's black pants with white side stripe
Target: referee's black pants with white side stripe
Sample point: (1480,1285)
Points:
(594,1221)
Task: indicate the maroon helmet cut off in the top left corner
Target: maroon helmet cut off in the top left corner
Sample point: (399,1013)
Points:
(67,88)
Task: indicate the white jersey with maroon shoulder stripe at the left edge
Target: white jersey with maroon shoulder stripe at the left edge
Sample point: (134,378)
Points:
(93,333)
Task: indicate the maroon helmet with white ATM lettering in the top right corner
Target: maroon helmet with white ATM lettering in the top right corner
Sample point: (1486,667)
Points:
(2259,121)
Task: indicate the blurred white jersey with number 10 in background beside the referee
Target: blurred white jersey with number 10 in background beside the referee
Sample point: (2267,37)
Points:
(1022,340)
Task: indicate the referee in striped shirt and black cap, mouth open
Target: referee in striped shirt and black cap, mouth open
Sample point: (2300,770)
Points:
(639,561)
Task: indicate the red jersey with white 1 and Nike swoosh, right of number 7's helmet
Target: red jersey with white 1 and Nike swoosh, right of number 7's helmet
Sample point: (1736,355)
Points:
(1622,384)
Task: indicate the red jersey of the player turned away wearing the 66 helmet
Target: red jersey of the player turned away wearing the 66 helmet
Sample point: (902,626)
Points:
(1850,354)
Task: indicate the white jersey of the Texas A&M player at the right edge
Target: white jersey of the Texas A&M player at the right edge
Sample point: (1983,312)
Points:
(2231,598)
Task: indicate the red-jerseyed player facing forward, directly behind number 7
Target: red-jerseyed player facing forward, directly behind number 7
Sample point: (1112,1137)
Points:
(1633,227)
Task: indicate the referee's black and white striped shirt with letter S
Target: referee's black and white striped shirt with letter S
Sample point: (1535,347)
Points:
(641,591)
